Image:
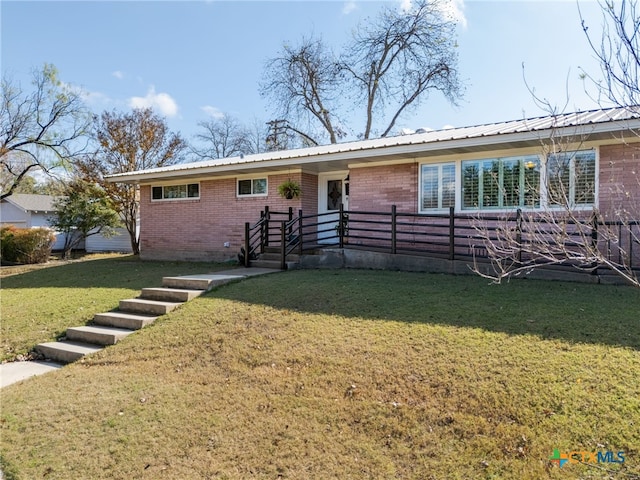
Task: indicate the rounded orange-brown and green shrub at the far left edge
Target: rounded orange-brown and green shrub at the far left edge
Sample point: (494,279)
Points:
(26,245)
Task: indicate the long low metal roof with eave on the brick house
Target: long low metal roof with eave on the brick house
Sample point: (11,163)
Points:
(596,124)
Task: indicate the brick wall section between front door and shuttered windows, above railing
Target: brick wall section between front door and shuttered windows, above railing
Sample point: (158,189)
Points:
(378,188)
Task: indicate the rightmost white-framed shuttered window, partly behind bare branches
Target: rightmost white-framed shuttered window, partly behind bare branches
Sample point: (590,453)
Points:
(571,178)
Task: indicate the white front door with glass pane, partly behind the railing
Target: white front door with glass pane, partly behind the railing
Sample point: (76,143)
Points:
(332,191)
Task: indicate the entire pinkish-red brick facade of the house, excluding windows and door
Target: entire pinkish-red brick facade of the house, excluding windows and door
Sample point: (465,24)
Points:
(198,229)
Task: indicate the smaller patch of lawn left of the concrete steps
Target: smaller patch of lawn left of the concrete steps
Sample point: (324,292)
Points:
(39,305)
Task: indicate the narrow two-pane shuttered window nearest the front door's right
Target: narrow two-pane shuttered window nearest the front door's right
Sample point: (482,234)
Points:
(438,186)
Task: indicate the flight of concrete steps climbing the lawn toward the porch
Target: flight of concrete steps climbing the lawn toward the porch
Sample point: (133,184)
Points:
(133,314)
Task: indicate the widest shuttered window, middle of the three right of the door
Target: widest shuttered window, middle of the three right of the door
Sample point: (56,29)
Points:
(509,182)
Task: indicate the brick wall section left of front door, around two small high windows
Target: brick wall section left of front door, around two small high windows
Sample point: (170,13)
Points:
(198,229)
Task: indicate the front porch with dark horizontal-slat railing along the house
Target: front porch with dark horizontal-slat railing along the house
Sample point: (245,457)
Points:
(445,242)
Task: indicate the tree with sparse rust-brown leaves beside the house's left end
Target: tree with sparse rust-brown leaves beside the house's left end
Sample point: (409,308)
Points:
(128,142)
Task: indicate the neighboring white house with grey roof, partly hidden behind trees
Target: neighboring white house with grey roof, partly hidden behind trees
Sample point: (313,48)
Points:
(29,211)
